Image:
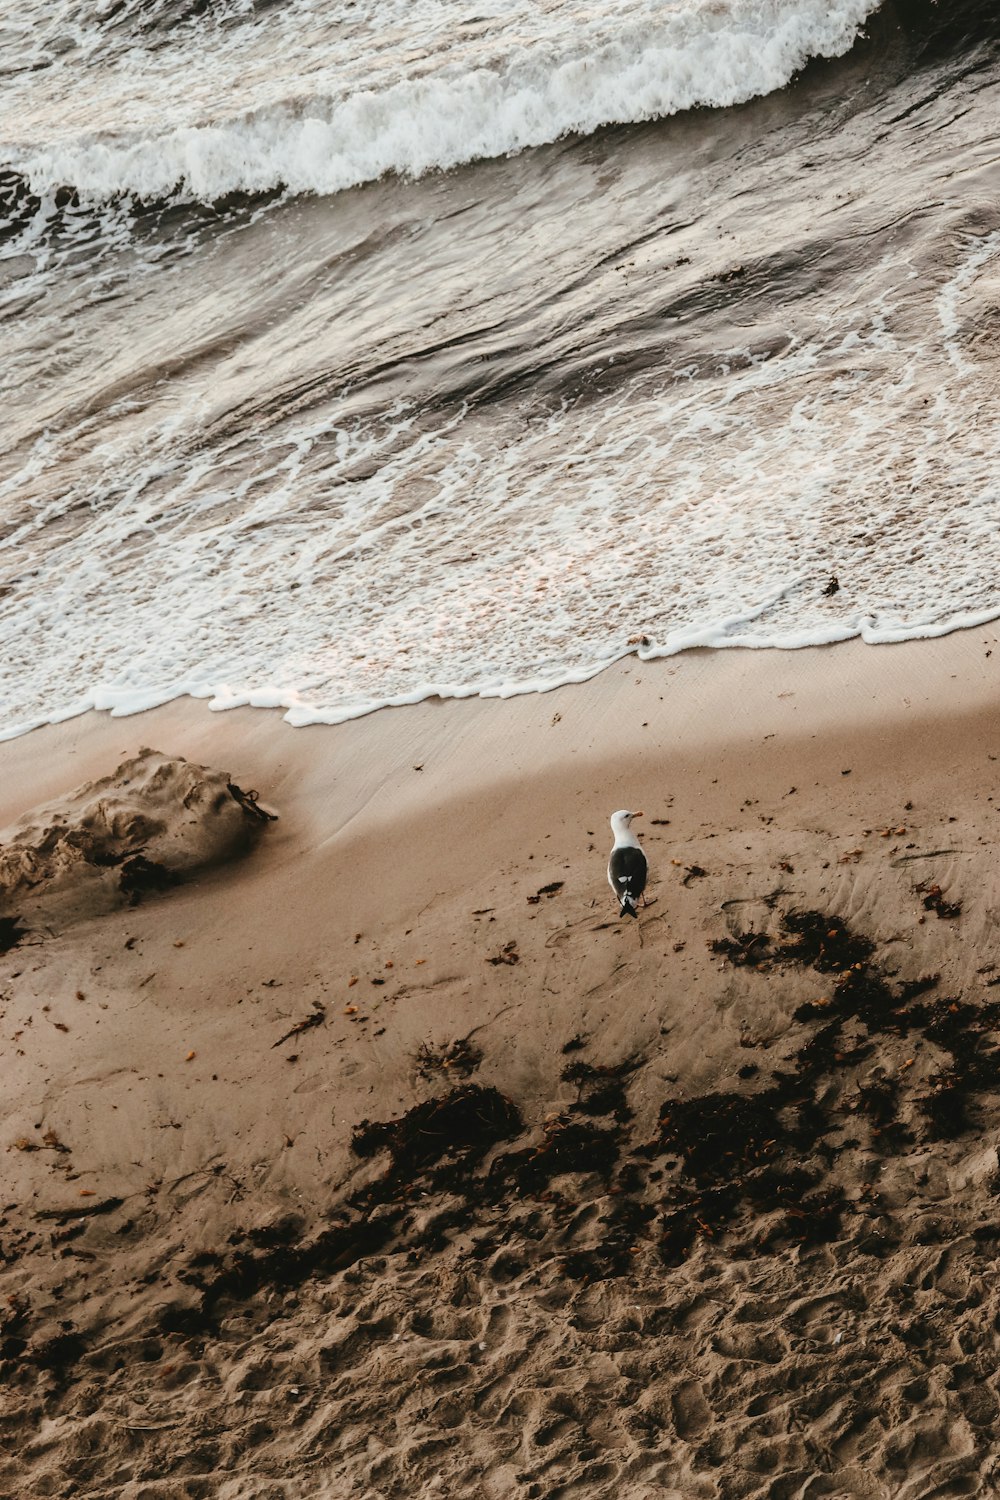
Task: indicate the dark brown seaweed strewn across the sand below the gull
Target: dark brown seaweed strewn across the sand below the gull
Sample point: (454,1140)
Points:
(747,1163)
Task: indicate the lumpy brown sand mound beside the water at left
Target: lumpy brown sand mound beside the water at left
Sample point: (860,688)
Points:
(145,829)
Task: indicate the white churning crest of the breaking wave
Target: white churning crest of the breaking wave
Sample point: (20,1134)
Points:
(713,55)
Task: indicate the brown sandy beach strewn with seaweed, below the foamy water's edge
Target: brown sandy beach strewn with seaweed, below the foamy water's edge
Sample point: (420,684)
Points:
(684,1222)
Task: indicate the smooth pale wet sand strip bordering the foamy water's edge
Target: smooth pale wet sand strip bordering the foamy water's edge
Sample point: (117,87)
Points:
(804,692)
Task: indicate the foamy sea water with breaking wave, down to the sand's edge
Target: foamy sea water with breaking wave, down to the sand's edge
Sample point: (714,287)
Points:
(364,352)
